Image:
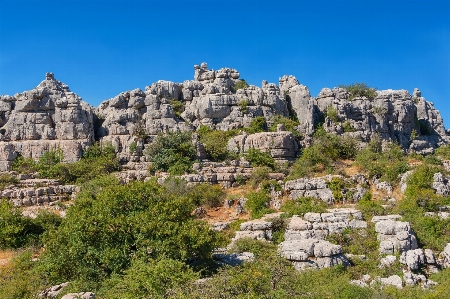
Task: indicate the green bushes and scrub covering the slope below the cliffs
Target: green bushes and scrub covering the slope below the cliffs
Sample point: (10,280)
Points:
(141,240)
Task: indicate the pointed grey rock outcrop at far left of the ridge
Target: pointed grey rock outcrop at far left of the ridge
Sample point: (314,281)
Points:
(48,117)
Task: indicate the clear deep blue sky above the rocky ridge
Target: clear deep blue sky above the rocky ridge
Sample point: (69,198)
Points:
(101,48)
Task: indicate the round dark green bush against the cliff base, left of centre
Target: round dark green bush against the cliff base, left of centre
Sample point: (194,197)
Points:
(172,152)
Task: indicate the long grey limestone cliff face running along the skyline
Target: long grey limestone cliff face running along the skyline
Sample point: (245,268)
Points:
(51,116)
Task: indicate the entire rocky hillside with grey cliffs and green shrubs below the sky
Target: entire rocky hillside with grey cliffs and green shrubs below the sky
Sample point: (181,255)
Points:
(212,188)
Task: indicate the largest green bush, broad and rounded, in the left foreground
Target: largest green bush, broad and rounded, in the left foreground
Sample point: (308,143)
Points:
(102,232)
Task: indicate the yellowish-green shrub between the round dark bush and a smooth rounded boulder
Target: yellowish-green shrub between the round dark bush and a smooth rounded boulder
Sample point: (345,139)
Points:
(215,143)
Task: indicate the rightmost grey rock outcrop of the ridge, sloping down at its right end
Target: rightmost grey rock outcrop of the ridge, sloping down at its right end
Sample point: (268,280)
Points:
(394,115)
